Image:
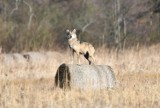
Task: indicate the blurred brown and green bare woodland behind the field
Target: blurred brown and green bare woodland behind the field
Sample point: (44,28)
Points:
(40,24)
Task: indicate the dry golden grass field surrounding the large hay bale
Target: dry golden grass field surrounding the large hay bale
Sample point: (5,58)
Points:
(31,84)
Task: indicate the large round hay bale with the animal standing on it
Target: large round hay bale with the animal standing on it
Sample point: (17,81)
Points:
(85,76)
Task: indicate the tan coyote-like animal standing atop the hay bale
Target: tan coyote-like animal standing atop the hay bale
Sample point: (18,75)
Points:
(83,48)
